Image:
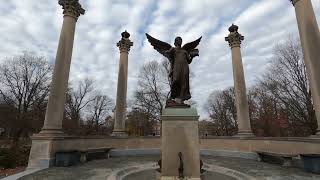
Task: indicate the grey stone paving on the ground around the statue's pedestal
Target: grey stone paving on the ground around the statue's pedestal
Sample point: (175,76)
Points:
(101,169)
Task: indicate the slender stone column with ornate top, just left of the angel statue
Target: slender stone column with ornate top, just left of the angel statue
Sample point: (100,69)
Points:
(121,103)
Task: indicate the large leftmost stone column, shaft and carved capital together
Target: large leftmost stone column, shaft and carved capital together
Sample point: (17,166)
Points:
(55,108)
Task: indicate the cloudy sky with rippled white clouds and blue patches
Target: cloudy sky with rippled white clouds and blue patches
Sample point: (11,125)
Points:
(34,25)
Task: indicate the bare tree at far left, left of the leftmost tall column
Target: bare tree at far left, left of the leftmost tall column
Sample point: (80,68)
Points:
(24,84)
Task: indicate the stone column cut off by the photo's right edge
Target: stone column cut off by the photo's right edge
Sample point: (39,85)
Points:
(310,42)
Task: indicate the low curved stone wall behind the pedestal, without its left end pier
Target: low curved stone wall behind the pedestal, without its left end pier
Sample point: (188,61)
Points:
(285,145)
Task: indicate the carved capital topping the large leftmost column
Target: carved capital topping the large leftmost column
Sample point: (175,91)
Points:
(72,8)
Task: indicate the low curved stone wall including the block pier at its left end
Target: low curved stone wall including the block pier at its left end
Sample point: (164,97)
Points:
(43,151)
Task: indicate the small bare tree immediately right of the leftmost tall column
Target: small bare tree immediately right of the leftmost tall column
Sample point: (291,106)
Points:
(77,99)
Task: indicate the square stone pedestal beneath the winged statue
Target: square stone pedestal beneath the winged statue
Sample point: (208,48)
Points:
(180,134)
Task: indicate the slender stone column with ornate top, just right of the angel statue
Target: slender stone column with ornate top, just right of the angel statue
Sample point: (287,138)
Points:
(243,120)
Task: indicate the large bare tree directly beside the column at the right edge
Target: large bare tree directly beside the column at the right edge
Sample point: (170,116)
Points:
(287,80)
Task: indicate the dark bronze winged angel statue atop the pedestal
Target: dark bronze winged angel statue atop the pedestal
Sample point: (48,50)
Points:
(180,58)
